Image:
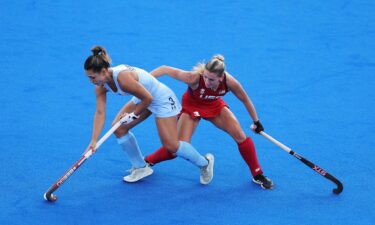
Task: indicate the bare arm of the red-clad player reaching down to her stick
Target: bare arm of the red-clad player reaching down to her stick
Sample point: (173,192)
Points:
(241,94)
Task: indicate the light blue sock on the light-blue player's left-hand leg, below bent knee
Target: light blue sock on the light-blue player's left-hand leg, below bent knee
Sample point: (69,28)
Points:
(130,146)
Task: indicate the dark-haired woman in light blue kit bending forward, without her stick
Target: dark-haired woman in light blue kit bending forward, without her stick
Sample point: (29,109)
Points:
(150,97)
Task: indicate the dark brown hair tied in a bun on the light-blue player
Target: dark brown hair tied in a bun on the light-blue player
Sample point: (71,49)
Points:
(98,60)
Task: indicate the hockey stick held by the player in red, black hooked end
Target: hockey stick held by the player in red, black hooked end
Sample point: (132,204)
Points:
(316,168)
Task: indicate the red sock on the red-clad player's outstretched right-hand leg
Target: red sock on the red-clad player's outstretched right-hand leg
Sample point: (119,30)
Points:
(247,150)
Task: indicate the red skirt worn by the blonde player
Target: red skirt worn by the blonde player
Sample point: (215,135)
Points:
(201,109)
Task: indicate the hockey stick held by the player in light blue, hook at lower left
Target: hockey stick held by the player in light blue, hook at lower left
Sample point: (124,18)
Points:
(51,197)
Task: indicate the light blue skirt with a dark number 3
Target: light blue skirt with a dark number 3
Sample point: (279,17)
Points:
(164,103)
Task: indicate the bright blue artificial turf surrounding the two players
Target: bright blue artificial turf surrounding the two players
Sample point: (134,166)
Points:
(308,66)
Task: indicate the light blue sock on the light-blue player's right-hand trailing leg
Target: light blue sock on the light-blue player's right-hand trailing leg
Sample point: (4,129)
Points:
(188,152)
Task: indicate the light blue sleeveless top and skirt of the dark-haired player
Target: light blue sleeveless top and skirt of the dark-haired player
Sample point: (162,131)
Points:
(164,103)
